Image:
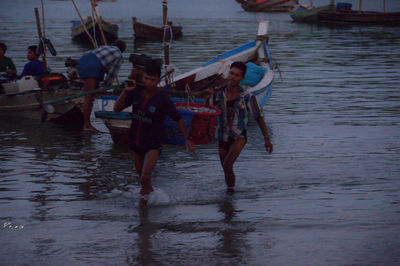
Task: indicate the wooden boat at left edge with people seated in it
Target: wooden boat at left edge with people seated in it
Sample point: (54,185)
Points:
(25,99)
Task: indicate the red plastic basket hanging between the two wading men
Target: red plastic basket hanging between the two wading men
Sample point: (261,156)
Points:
(203,123)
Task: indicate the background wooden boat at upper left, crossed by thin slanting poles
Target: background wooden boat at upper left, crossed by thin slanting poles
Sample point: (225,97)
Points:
(79,34)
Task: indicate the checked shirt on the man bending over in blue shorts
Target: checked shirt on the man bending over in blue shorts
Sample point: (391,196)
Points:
(111,59)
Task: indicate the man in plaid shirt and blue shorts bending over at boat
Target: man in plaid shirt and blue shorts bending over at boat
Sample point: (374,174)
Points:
(92,67)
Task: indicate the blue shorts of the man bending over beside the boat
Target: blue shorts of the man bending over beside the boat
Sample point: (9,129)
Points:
(89,66)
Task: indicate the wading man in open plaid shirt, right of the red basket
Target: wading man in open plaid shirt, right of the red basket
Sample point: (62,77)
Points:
(236,106)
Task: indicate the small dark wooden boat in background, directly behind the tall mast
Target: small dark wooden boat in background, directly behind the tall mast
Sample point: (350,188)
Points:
(147,32)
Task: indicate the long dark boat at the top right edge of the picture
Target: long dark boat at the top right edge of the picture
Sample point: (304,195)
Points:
(345,15)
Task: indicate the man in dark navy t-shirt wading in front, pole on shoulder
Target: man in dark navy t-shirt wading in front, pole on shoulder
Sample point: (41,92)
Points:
(149,106)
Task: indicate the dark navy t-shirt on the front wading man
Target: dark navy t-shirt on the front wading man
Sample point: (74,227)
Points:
(147,126)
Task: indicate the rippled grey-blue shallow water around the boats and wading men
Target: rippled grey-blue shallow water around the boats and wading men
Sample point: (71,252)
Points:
(328,195)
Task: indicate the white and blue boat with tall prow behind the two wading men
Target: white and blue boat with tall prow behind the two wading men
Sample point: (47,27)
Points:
(194,83)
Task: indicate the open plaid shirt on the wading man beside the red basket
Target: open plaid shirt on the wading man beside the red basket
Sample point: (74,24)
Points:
(244,105)
